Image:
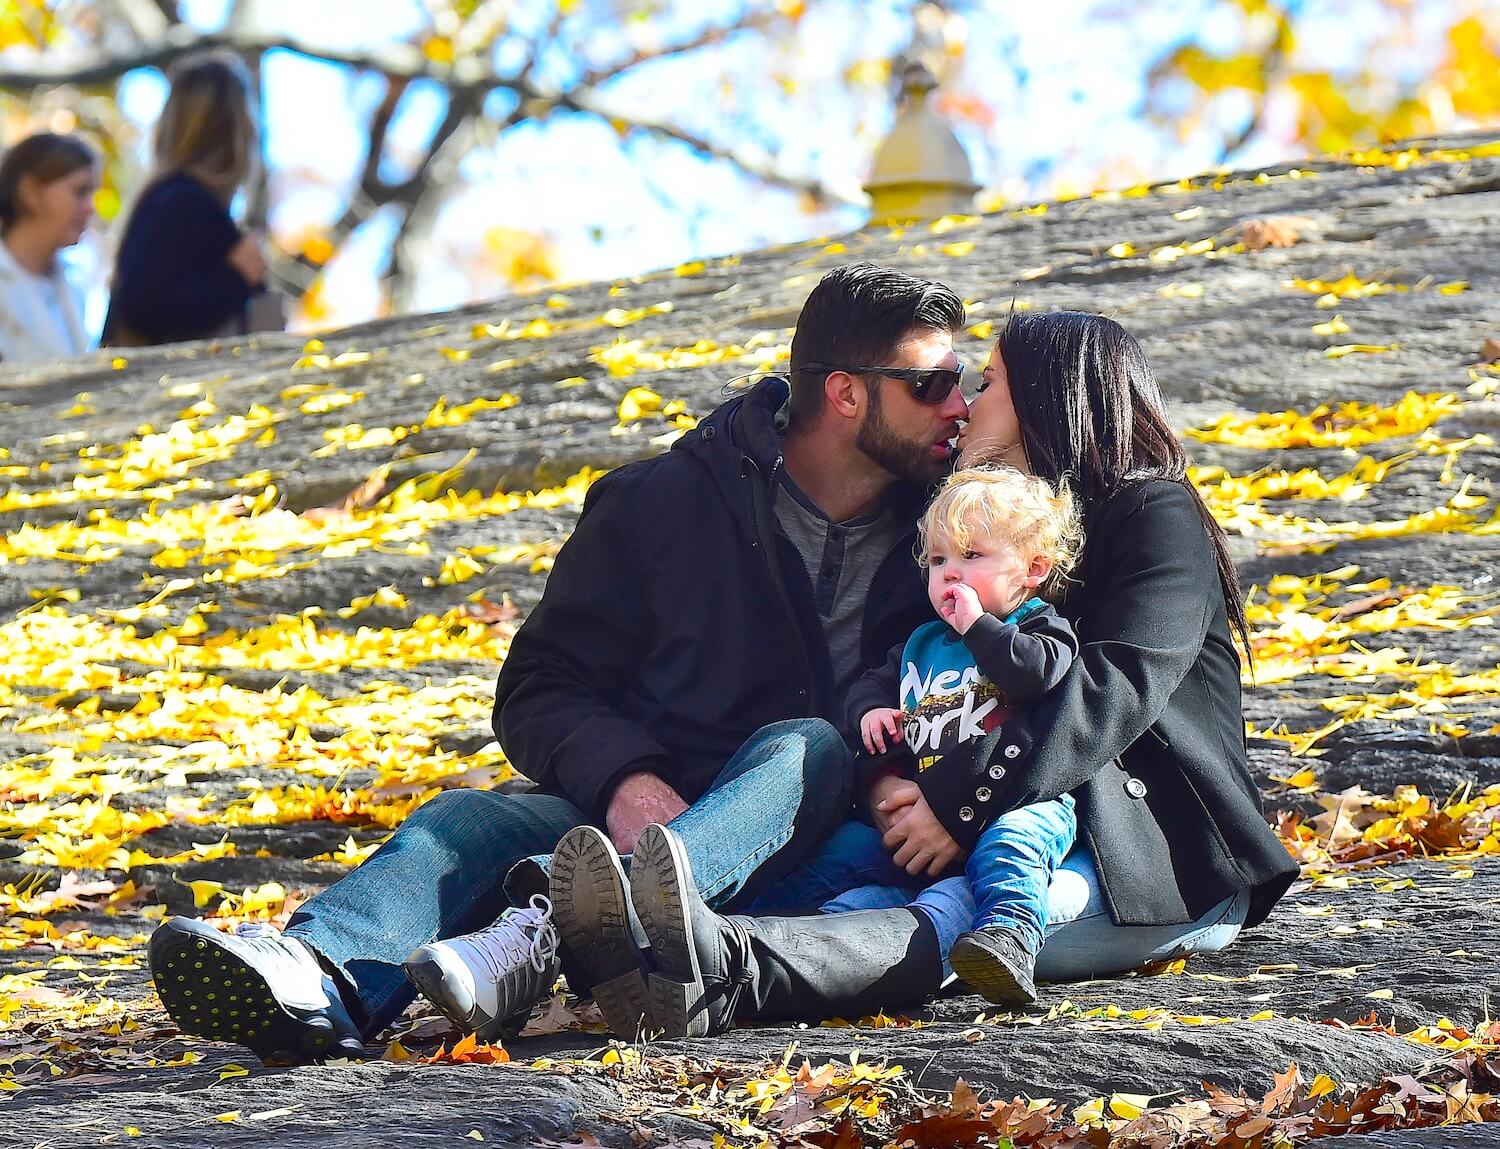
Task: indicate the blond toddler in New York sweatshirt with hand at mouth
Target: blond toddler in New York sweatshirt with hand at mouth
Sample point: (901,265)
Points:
(994,542)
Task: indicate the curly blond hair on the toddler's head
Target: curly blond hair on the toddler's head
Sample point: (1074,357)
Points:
(1000,503)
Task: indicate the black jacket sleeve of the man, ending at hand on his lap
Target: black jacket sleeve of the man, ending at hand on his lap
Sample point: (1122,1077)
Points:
(557,712)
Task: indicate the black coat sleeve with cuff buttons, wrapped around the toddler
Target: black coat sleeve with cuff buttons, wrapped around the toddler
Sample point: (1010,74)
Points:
(1144,628)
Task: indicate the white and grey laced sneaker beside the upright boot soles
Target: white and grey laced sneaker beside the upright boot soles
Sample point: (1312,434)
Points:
(494,977)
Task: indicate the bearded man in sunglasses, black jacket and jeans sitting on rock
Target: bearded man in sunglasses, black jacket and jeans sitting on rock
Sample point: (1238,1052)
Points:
(697,634)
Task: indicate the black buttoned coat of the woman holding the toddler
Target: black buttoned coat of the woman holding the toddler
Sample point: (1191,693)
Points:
(1147,730)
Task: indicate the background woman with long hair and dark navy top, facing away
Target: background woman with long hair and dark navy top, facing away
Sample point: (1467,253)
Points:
(185,271)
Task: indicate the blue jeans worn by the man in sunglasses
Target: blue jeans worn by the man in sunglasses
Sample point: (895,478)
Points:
(443,874)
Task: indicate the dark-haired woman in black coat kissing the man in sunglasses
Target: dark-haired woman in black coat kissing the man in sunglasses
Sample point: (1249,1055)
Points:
(1174,854)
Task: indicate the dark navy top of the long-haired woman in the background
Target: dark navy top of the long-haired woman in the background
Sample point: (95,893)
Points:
(173,281)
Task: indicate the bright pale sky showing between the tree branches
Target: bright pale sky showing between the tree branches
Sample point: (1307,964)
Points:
(1066,82)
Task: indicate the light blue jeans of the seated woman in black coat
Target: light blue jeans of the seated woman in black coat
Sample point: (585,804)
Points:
(1082,941)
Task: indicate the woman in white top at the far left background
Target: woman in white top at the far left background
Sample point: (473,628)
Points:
(47,185)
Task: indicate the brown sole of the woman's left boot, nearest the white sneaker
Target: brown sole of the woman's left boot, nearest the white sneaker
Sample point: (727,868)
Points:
(592,914)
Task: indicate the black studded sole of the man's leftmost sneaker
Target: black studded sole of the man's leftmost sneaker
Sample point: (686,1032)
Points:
(212,994)
